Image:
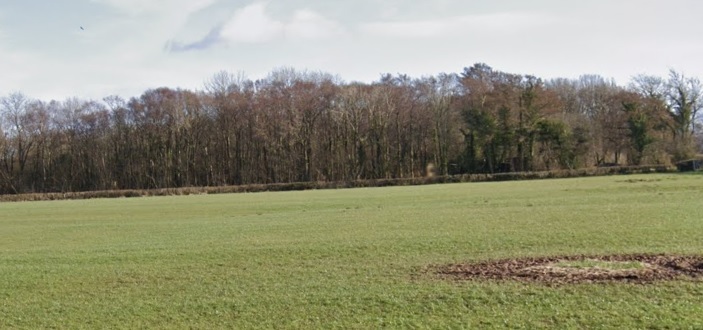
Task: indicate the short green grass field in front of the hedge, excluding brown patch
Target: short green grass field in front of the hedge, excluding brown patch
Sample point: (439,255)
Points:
(347,258)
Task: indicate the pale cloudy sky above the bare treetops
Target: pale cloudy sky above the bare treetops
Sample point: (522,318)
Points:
(96,48)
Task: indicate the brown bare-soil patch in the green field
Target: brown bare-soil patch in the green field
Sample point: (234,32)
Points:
(580,269)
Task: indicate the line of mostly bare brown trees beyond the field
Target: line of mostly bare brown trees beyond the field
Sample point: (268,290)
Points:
(294,126)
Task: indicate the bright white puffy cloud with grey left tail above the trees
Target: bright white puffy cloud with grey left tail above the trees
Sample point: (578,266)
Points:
(253,24)
